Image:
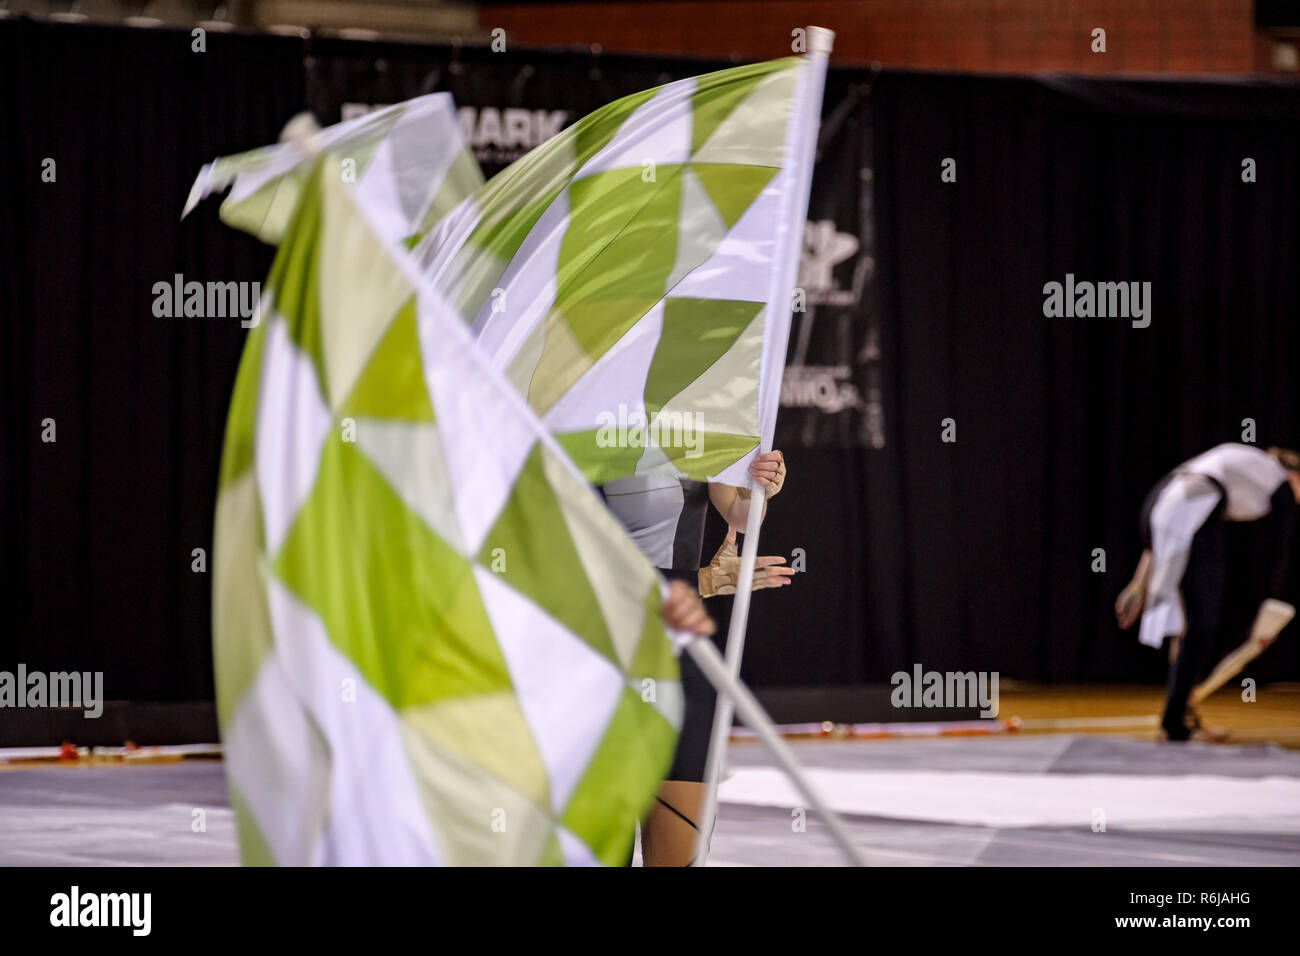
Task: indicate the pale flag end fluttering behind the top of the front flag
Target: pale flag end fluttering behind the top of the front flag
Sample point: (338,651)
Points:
(410,163)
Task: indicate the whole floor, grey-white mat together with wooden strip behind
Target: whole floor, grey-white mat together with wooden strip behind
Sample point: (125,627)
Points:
(1003,798)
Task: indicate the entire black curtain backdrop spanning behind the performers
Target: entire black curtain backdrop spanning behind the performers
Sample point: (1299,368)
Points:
(974,555)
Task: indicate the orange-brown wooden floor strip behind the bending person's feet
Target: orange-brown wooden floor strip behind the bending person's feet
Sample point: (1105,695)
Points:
(1132,711)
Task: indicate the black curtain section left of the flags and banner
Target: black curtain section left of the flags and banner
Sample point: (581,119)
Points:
(99,526)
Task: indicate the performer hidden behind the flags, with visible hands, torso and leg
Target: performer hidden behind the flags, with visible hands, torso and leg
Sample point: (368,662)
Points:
(666,518)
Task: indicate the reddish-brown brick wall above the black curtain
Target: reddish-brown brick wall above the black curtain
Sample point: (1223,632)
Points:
(1002,36)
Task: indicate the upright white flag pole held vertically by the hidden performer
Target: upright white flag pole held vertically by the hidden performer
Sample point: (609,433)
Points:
(805,128)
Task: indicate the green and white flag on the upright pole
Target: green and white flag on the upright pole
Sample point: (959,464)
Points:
(634,275)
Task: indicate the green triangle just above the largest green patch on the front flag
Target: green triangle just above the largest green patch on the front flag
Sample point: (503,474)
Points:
(392,386)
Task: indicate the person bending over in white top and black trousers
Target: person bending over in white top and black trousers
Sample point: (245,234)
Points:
(1178,587)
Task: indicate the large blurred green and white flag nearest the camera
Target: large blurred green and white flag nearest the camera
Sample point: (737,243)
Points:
(434,644)
